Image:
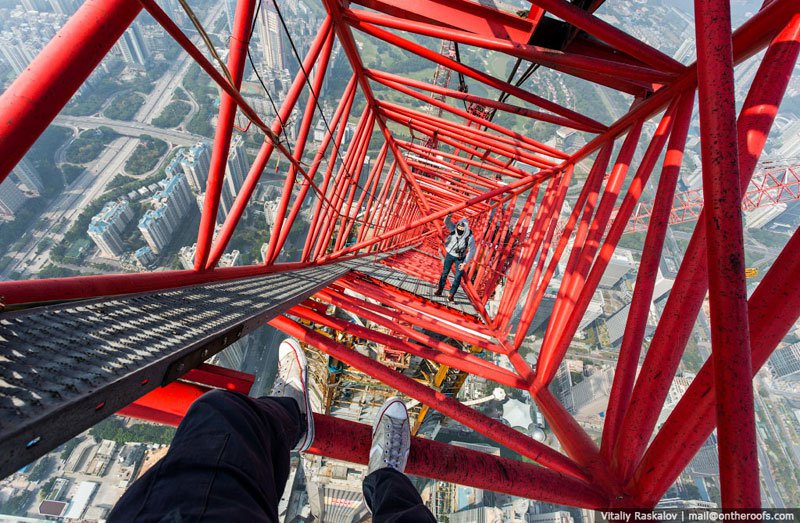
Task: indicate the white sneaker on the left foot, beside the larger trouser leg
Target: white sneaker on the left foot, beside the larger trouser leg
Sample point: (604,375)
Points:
(291,382)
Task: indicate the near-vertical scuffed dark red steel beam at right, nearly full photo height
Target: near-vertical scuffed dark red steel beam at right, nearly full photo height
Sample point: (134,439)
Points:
(730,337)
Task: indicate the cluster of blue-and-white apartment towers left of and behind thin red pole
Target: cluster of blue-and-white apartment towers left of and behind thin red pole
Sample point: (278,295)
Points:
(167,203)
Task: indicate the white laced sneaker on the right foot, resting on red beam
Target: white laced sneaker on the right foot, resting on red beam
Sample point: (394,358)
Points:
(391,437)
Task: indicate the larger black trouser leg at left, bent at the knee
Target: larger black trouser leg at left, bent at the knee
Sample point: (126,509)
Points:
(229,461)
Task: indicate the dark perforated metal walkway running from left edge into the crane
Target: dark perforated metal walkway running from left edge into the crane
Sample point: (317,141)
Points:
(66,367)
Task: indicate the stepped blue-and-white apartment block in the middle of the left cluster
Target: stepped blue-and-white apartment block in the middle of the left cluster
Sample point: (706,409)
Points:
(171,203)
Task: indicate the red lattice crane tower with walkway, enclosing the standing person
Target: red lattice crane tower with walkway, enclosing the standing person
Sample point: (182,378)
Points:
(76,350)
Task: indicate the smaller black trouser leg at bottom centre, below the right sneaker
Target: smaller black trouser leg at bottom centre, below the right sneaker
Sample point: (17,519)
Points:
(392,498)
